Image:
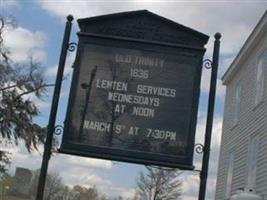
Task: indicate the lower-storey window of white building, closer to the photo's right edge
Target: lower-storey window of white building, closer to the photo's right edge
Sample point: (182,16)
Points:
(252,161)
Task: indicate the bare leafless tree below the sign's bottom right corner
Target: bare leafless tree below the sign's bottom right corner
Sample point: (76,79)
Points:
(159,184)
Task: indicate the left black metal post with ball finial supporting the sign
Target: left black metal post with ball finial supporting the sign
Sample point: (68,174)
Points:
(53,112)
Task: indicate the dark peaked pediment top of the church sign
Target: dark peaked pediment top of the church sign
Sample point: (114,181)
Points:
(143,25)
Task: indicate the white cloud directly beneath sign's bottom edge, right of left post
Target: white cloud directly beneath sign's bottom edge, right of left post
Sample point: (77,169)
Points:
(88,172)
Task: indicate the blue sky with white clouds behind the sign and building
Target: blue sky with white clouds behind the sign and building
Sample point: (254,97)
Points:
(39,32)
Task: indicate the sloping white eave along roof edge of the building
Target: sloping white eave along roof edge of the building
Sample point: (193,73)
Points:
(258,32)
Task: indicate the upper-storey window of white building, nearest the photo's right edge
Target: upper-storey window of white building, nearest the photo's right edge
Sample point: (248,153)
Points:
(259,81)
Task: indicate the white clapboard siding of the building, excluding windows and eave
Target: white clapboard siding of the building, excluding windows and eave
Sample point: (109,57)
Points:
(252,121)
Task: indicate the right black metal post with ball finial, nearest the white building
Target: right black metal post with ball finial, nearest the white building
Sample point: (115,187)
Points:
(206,155)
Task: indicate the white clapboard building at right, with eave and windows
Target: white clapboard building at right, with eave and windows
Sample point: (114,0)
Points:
(243,155)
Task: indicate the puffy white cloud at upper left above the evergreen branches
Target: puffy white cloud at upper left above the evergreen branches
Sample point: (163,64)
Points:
(23,43)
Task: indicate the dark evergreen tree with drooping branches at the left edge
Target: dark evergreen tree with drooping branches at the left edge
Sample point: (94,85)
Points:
(18,83)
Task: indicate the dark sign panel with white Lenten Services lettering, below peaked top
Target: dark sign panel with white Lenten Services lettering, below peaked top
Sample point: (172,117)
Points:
(133,101)
